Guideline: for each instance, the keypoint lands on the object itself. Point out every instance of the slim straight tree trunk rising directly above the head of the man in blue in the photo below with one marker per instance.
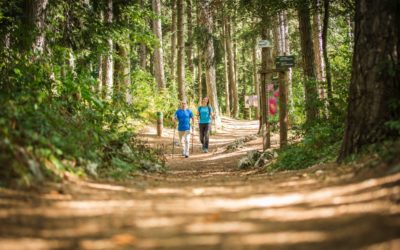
(181, 50)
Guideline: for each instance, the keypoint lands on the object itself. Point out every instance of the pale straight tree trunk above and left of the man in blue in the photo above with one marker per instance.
(158, 51)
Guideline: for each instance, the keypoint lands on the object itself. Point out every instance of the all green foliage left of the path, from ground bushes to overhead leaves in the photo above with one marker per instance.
(53, 119)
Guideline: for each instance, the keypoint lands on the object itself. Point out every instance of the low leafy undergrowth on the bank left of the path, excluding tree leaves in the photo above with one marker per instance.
(51, 129)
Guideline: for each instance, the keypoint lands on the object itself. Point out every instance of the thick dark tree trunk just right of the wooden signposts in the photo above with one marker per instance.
(310, 86)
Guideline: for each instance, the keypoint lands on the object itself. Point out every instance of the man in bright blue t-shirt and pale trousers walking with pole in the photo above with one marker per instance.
(183, 116)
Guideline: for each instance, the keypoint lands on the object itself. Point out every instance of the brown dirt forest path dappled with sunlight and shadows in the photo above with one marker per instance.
(206, 202)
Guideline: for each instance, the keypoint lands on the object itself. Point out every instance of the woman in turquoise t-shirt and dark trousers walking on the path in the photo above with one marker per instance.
(205, 114)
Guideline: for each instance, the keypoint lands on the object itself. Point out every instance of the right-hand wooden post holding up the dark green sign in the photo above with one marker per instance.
(283, 114)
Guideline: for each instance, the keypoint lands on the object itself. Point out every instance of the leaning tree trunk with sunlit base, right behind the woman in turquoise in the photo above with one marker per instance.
(209, 58)
